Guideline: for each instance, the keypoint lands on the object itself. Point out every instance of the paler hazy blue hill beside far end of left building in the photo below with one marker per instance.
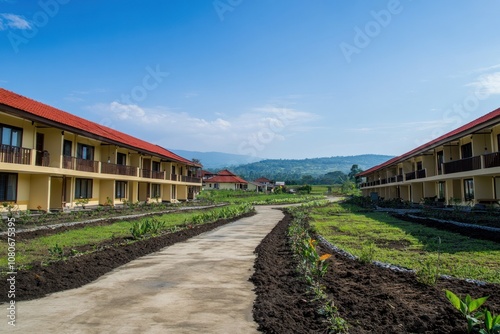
(216, 160)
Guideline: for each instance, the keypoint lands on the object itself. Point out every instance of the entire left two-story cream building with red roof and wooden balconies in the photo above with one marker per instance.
(51, 159)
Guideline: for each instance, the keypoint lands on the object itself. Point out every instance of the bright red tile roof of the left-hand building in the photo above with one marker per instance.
(66, 119)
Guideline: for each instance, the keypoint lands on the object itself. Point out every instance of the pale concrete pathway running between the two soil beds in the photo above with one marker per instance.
(198, 286)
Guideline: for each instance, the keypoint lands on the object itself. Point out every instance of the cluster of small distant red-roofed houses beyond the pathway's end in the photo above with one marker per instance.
(225, 179)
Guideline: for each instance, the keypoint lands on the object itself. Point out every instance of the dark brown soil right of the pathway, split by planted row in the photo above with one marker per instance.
(370, 298)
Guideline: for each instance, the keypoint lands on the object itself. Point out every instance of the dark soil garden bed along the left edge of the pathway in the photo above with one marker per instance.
(79, 270)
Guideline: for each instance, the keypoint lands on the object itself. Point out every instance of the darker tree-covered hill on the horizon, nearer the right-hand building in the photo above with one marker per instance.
(284, 169)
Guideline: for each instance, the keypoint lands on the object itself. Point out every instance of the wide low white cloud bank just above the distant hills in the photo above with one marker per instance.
(173, 129)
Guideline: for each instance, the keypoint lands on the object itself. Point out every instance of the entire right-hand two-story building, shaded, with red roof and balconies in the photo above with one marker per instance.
(461, 166)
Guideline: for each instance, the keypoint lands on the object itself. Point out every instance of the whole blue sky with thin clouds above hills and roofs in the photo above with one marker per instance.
(268, 78)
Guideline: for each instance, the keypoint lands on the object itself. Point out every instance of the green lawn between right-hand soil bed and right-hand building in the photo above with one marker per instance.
(407, 244)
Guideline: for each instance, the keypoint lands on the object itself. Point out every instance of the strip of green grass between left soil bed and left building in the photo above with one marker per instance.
(37, 249)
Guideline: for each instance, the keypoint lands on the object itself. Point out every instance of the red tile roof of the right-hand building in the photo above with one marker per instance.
(438, 141)
